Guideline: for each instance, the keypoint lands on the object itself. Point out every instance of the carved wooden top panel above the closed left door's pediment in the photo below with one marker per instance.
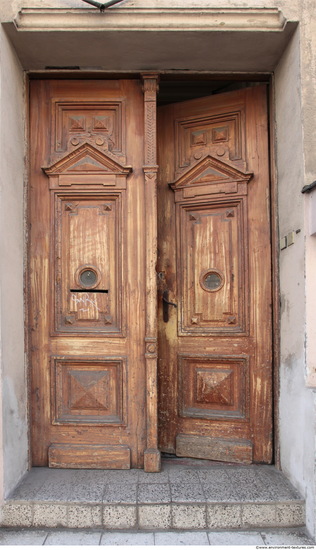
(99, 123)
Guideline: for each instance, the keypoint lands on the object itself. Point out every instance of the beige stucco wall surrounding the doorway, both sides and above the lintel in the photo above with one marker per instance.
(295, 147)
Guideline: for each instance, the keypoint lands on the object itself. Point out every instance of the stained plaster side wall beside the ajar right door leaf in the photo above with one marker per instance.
(297, 407)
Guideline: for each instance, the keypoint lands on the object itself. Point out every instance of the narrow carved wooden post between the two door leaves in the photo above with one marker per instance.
(152, 460)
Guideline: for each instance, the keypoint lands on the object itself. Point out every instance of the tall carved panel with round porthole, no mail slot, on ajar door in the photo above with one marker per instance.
(212, 270)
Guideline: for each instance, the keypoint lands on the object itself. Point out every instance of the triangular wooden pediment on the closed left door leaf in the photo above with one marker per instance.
(86, 159)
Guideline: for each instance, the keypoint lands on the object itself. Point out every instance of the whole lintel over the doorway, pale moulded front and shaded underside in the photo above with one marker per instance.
(131, 39)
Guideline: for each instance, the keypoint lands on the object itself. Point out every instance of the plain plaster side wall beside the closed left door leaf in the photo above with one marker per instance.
(13, 461)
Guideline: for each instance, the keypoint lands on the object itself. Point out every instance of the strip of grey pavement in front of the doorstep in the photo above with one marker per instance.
(66, 537)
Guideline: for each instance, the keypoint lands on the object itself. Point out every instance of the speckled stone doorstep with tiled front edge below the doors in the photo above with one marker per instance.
(185, 495)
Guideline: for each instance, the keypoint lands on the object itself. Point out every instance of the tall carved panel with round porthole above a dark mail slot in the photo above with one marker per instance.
(89, 263)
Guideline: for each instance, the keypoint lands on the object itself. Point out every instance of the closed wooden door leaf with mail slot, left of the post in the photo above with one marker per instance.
(87, 212)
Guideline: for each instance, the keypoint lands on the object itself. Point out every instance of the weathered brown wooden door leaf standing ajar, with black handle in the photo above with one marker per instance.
(215, 352)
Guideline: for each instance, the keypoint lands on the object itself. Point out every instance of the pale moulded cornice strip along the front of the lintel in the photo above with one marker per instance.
(140, 19)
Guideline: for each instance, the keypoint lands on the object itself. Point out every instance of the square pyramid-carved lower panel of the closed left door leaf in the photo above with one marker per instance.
(87, 390)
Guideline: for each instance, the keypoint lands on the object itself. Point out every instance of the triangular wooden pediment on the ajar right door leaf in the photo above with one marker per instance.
(209, 171)
